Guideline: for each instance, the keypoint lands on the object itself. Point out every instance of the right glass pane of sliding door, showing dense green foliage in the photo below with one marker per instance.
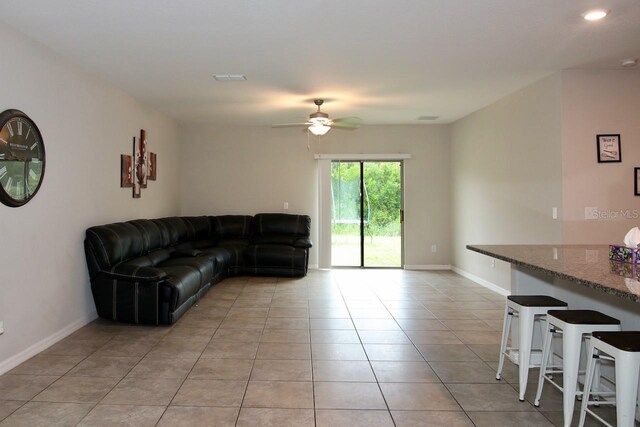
(382, 204)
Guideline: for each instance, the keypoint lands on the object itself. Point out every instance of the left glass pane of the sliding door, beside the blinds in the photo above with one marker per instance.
(345, 218)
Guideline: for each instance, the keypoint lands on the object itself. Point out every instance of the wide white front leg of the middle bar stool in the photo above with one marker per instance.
(571, 343)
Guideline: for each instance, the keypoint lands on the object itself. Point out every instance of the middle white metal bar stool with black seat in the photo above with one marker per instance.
(573, 325)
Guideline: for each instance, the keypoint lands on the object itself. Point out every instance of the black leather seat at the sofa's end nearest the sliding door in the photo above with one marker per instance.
(281, 257)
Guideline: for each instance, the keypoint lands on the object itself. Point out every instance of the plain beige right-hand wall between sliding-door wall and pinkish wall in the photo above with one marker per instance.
(506, 176)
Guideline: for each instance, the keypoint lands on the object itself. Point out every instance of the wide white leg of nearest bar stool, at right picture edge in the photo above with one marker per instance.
(627, 371)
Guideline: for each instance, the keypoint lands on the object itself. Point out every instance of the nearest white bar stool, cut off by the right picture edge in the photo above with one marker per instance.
(624, 349)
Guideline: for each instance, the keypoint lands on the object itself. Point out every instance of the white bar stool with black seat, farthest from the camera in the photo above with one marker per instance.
(526, 308)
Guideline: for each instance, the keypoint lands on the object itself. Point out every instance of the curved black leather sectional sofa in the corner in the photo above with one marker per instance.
(152, 271)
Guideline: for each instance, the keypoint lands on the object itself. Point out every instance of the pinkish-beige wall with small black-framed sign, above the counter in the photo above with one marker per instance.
(599, 102)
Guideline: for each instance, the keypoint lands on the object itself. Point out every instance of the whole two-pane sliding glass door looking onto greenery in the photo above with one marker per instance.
(366, 221)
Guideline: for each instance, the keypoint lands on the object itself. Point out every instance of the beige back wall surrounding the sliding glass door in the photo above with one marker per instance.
(250, 170)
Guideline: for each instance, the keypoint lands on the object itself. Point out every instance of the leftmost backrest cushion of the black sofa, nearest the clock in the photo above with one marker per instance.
(113, 243)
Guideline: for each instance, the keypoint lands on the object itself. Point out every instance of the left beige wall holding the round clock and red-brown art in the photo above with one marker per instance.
(86, 124)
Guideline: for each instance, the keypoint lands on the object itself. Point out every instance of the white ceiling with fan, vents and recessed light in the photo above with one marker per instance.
(385, 61)
